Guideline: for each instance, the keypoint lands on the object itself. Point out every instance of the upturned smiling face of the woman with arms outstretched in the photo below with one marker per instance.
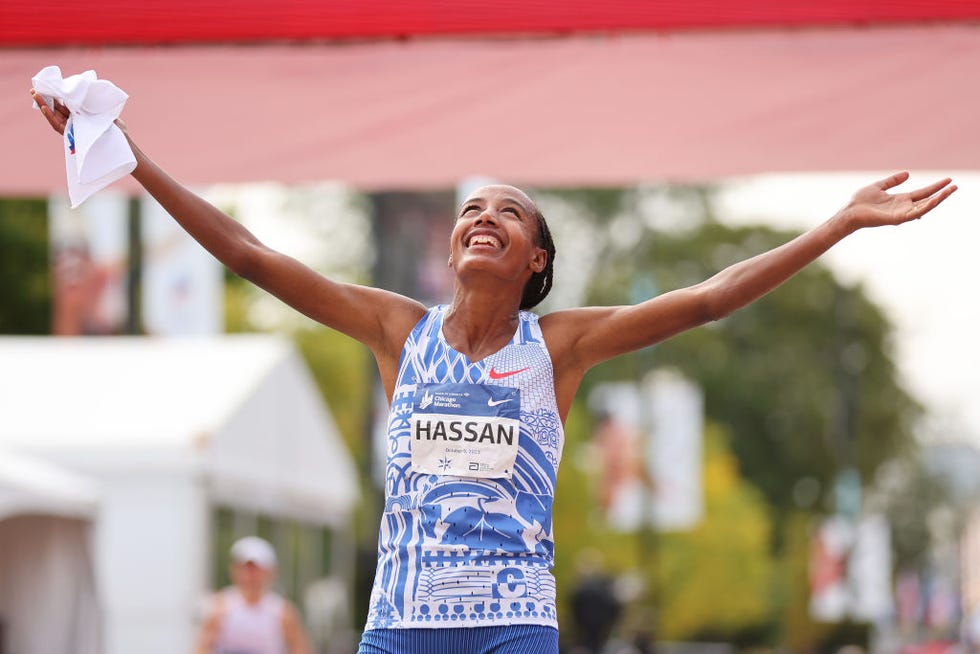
(496, 231)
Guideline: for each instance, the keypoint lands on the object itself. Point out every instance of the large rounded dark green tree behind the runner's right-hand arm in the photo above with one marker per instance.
(803, 377)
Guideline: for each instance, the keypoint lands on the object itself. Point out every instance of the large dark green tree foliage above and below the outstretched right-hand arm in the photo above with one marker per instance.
(803, 377)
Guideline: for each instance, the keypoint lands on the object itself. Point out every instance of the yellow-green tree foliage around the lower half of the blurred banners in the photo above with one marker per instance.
(713, 582)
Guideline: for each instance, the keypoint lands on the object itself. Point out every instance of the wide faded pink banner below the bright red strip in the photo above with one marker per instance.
(580, 110)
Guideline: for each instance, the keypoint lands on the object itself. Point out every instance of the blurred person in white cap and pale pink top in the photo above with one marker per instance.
(247, 617)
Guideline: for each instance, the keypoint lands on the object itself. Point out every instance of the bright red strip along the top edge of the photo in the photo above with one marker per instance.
(60, 22)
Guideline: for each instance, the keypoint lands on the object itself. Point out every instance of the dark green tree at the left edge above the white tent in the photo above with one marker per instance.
(25, 296)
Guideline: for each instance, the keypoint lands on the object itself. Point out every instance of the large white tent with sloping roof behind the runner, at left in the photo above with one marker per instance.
(171, 429)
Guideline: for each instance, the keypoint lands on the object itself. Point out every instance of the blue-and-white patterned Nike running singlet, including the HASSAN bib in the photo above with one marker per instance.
(466, 536)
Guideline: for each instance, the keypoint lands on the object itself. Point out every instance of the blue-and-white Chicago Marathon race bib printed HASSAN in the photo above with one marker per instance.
(465, 430)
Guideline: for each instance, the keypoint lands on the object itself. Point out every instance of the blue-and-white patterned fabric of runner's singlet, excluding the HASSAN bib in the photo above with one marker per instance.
(463, 551)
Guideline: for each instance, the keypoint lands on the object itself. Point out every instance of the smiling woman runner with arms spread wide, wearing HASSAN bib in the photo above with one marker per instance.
(479, 390)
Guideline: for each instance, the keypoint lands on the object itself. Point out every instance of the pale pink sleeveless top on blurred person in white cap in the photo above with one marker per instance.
(250, 628)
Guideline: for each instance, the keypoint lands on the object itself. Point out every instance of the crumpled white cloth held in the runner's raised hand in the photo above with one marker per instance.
(96, 150)
